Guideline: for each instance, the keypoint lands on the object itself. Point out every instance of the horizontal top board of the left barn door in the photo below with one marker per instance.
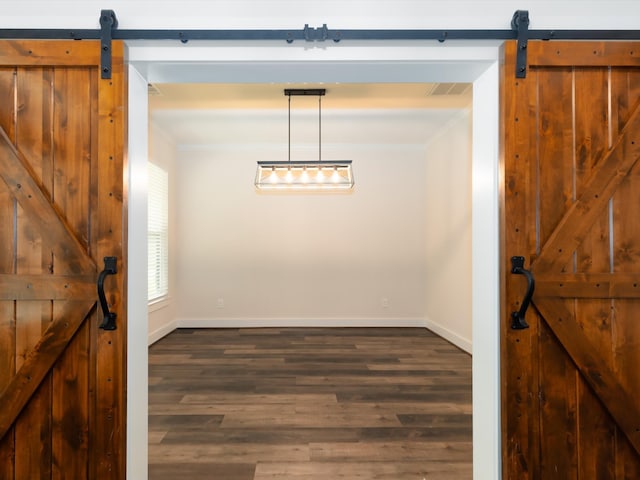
(50, 52)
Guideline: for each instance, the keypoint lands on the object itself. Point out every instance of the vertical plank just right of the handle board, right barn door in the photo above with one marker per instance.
(556, 191)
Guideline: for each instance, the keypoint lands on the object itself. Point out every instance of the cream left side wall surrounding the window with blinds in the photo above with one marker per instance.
(162, 152)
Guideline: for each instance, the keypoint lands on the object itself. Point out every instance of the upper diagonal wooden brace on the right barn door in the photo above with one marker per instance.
(605, 179)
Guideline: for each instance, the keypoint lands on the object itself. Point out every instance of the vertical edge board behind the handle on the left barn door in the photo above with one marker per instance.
(107, 443)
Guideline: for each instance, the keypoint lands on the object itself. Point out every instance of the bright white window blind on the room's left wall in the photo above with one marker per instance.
(158, 233)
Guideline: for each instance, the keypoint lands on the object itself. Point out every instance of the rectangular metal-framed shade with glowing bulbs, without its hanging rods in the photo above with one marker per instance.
(299, 175)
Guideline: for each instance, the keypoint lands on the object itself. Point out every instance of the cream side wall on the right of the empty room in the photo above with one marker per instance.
(448, 239)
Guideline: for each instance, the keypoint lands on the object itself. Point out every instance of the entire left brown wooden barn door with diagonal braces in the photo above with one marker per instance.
(61, 212)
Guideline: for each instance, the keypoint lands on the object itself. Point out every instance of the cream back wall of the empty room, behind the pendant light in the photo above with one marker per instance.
(248, 258)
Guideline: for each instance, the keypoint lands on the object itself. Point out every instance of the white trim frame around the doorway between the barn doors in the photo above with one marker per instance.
(420, 64)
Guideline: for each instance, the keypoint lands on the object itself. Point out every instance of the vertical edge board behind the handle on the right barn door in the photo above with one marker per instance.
(519, 380)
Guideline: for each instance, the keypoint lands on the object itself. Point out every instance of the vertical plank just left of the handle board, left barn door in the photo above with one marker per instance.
(72, 128)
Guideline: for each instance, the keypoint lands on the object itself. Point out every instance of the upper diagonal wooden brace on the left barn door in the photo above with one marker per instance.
(21, 180)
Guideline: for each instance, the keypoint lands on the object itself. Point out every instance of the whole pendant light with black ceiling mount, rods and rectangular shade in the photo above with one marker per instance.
(305, 175)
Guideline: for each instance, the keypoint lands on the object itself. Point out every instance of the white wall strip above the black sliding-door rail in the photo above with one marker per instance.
(223, 14)
